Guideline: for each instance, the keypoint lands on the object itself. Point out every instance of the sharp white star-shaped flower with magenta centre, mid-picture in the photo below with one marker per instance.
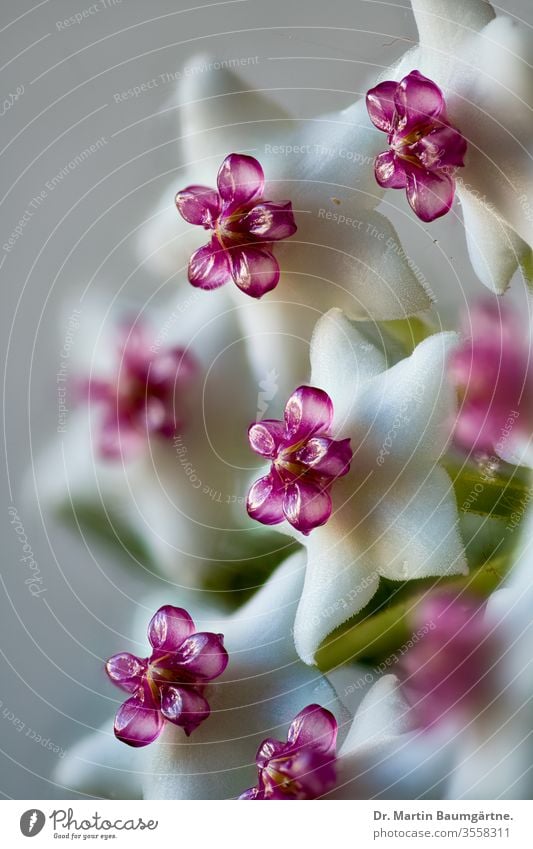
(393, 513)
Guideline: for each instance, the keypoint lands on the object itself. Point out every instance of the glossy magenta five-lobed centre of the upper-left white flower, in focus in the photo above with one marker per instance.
(244, 225)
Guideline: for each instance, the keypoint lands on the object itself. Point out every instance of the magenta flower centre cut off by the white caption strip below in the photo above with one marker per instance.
(303, 767)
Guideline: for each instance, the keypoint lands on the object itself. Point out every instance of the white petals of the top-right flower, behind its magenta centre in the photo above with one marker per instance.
(483, 65)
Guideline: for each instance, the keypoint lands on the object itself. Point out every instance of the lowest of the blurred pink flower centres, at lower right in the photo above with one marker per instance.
(446, 675)
